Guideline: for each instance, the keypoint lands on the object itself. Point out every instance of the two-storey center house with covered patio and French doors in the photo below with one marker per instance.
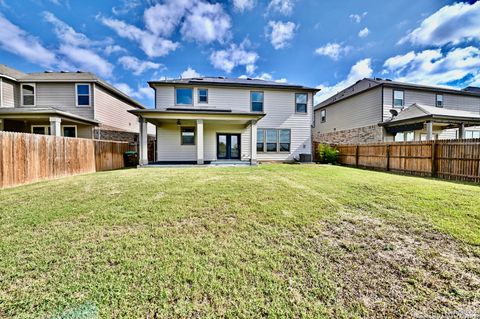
(208, 119)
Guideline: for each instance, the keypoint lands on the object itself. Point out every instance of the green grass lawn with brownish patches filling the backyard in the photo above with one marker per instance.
(241, 242)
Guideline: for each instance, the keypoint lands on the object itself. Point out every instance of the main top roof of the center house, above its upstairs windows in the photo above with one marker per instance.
(241, 82)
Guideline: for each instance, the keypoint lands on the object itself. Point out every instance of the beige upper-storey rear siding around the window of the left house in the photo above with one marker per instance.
(61, 96)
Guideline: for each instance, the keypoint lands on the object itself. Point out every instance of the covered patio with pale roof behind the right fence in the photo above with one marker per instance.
(422, 122)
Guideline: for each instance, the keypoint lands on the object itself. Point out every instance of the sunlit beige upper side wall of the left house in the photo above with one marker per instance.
(113, 112)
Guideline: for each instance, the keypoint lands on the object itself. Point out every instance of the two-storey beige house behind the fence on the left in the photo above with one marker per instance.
(74, 104)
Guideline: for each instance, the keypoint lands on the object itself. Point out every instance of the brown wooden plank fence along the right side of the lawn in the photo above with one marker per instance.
(448, 159)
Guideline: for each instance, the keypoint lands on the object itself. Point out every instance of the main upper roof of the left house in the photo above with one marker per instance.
(78, 76)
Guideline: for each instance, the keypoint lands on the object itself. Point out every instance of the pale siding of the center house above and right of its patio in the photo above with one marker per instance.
(279, 106)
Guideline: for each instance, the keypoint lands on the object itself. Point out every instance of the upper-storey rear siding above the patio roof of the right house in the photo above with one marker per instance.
(450, 101)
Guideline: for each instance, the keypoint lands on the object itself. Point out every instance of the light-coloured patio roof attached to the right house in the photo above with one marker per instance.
(422, 112)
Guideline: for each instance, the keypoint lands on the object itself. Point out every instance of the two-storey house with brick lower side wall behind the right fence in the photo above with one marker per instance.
(375, 110)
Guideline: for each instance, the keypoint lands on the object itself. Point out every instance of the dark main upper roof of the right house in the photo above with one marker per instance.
(368, 83)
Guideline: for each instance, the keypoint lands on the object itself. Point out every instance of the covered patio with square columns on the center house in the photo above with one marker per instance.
(191, 136)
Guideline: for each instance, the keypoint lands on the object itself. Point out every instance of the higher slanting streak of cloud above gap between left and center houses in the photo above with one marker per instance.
(151, 44)
